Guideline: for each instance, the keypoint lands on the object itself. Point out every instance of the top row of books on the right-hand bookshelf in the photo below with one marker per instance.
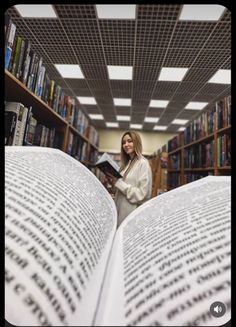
(217, 117)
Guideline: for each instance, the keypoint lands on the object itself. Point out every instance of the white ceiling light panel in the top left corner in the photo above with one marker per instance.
(36, 11)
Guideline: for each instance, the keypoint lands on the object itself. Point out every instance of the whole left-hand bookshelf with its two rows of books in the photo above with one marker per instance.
(38, 109)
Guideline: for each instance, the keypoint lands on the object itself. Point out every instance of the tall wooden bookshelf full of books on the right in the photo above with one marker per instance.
(204, 148)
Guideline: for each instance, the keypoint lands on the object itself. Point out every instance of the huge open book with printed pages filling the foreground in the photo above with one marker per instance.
(67, 265)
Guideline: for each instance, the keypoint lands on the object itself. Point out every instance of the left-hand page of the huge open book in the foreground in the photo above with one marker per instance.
(60, 224)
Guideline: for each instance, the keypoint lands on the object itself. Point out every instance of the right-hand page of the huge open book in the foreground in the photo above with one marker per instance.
(171, 260)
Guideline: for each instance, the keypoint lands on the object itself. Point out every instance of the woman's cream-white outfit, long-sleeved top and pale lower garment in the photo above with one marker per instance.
(135, 190)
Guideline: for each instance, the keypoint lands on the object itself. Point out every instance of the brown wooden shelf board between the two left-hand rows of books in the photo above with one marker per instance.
(16, 91)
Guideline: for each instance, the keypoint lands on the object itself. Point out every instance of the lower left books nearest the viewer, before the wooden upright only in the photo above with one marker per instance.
(21, 128)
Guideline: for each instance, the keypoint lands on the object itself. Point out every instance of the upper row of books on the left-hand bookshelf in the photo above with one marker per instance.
(28, 67)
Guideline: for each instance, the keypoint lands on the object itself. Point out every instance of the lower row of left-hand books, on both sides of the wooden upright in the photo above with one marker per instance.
(21, 128)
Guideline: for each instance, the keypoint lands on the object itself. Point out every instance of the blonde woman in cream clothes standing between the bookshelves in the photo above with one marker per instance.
(134, 188)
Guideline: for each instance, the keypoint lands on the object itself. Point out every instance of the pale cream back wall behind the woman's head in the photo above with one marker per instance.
(110, 140)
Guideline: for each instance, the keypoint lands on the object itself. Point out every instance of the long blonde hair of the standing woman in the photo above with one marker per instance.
(137, 148)
